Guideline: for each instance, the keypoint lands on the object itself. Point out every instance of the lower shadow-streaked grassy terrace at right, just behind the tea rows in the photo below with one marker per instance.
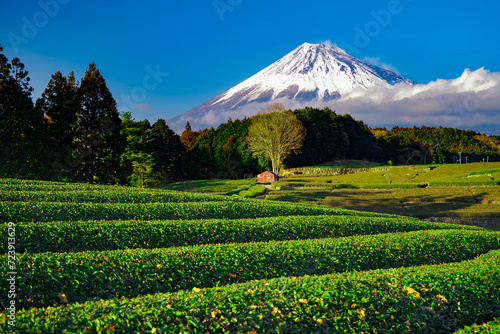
(427, 202)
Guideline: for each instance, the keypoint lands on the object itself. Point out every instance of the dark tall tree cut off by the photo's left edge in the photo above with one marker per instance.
(22, 137)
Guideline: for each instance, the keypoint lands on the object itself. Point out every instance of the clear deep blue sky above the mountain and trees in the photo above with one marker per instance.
(209, 46)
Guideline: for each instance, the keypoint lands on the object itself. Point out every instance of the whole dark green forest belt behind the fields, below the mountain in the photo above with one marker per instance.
(74, 132)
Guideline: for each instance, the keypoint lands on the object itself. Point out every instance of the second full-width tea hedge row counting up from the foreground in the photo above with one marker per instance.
(110, 274)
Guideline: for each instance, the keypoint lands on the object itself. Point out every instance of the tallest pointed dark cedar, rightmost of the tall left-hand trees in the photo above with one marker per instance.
(100, 143)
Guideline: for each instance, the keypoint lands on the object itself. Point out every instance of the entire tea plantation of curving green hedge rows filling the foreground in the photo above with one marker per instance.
(104, 259)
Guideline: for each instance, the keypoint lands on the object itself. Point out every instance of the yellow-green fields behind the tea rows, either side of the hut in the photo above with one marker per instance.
(466, 190)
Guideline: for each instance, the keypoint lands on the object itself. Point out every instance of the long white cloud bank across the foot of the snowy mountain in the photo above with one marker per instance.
(471, 101)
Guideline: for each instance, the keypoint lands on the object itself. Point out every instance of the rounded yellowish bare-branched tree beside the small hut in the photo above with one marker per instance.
(275, 134)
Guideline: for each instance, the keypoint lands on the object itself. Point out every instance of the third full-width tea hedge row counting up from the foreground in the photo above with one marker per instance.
(77, 236)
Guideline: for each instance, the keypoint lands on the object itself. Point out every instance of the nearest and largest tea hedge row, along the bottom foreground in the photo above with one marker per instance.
(428, 299)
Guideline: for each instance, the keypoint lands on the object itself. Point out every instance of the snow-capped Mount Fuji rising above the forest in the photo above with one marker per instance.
(311, 74)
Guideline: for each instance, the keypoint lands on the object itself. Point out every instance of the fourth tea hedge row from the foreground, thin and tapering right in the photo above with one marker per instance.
(54, 211)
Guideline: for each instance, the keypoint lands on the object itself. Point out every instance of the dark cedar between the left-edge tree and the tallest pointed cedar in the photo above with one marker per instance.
(60, 106)
